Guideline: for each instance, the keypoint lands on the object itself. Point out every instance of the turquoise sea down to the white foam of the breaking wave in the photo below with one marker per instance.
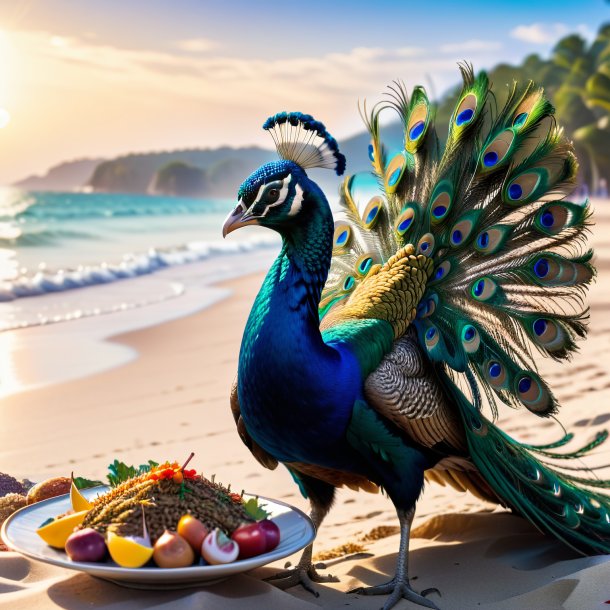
(62, 240)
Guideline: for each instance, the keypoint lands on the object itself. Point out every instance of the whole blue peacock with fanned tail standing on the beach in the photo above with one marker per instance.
(383, 341)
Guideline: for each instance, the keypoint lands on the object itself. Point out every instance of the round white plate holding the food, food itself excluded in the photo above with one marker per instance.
(19, 534)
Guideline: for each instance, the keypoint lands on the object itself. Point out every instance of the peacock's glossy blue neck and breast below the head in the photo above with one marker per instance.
(288, 378)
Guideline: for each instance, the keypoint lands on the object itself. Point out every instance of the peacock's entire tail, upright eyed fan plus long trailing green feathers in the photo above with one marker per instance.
(510, 269)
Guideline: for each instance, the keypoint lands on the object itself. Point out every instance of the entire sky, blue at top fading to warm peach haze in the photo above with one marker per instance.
(91, 78)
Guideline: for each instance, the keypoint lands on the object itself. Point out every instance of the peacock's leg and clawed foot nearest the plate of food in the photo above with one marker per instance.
(304, 573)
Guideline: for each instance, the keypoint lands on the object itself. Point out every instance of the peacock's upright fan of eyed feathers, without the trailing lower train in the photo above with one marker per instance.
(510, 267)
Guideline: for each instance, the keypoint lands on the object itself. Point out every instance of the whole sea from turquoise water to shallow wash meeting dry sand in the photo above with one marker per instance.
(77, 268)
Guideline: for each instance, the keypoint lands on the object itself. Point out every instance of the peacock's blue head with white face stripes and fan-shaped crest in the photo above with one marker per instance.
(276, 194)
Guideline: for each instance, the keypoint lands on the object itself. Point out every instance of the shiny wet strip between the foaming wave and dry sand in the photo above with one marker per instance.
(139, 303)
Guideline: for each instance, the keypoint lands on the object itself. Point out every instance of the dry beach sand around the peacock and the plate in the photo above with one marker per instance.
(173, 399)
